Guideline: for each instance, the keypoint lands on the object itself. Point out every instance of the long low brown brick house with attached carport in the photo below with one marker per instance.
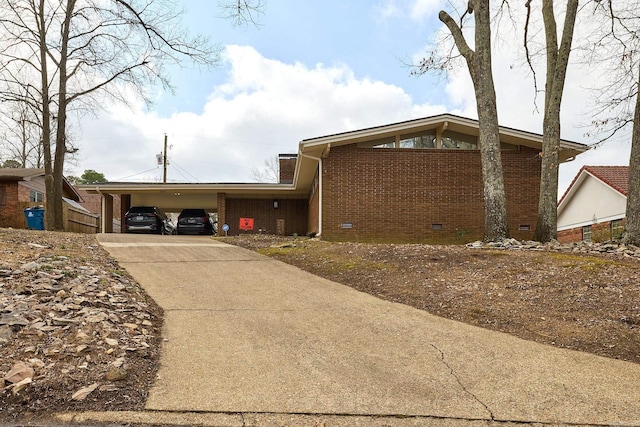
(418, 180)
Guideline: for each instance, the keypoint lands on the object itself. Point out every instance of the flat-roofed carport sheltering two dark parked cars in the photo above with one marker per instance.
(274, 208)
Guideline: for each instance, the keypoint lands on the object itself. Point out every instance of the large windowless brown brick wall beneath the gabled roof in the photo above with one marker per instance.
(398, 195)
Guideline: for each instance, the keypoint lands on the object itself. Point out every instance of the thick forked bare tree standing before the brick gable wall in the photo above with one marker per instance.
(479, 65)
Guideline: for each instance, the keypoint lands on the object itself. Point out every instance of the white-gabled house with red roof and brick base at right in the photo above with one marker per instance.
(593, 207)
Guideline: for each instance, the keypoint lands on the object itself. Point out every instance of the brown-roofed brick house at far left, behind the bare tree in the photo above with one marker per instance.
(22, 188)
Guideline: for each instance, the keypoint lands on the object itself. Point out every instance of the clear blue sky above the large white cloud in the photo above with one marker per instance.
(375, 42)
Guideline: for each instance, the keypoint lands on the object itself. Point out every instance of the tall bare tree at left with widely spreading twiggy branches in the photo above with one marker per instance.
(82, 53)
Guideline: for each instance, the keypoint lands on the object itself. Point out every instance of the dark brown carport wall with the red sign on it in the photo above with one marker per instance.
(265, 217)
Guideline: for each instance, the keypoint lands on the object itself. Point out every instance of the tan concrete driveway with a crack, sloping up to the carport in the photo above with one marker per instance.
(246, 334)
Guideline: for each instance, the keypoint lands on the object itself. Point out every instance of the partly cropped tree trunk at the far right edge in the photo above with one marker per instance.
(632, 235)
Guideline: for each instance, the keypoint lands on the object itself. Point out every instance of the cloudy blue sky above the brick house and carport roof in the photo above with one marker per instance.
(310, 69)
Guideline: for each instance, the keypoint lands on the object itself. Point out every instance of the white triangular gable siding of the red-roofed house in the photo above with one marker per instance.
(593, 202)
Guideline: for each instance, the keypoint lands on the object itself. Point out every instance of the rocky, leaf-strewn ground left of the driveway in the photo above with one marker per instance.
(75, 329)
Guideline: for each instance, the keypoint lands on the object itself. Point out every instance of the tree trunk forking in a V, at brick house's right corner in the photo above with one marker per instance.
(557, 63)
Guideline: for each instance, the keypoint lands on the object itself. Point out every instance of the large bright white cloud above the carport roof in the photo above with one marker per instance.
(265, 107)
